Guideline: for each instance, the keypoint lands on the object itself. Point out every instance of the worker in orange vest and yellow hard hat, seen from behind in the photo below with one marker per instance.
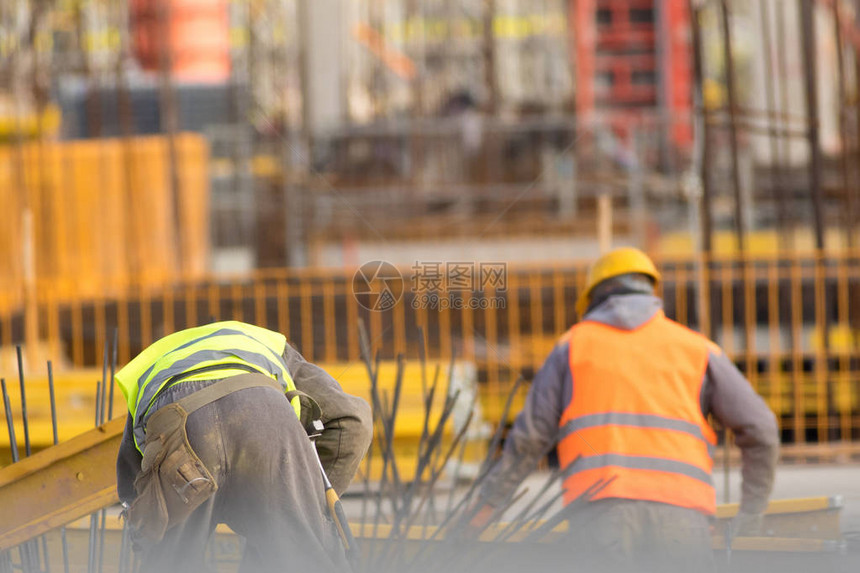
(626, 394)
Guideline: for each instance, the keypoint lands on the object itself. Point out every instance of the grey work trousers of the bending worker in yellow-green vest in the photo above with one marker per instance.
(270, 489)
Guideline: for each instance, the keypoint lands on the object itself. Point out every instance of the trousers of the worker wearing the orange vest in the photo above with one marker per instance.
(621, 536)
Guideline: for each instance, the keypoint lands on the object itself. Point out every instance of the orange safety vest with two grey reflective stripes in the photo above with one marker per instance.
(635, 414)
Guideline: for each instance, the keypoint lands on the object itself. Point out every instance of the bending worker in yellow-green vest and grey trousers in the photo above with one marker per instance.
(217, 432)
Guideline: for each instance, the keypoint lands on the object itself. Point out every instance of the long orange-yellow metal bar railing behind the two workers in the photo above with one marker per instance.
(791, 324)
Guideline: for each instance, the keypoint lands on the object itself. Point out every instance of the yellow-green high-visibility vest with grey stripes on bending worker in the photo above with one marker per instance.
(216, 350)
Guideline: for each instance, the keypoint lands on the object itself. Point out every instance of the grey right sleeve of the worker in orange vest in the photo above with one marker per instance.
(734, 403)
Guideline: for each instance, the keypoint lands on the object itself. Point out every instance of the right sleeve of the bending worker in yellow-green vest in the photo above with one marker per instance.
(347, 419)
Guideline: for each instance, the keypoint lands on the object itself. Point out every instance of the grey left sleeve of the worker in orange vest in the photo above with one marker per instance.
(534, 431)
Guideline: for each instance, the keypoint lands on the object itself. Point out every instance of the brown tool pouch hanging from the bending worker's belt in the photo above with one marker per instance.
(173, 481)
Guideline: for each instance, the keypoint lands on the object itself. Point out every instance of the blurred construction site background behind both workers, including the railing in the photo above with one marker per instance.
(166, 162)
